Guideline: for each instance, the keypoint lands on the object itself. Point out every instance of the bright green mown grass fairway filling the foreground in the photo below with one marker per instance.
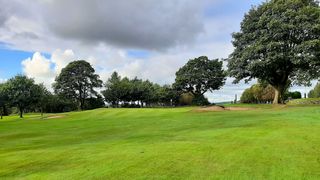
(265, 143)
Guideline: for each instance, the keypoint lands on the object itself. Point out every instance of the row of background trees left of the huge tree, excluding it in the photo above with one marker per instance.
(76, 88)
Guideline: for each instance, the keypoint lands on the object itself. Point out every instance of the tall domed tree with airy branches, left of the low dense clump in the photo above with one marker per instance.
(77, 81)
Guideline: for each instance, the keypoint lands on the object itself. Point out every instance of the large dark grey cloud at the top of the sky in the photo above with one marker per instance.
(144, 24)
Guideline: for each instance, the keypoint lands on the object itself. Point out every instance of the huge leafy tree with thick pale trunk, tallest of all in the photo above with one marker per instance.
(279, 42)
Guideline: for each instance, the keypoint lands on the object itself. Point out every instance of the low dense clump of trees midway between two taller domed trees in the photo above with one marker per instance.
(128, 92)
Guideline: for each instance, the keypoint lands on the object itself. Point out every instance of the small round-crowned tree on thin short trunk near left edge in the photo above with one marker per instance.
(22, 92)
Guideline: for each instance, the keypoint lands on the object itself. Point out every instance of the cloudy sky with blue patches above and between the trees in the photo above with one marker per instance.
(149, 39)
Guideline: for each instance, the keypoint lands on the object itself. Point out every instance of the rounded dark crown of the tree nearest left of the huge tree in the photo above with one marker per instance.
(200, 75)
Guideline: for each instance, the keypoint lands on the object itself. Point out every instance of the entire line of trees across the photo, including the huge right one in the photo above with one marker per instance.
(278, 43)
